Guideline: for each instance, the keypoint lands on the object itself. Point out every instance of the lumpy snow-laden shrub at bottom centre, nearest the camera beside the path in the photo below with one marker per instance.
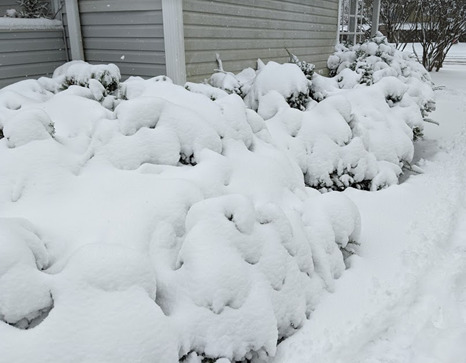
(267, 281)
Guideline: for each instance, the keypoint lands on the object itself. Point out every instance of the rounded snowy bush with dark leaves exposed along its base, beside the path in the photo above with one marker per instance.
(336, 148)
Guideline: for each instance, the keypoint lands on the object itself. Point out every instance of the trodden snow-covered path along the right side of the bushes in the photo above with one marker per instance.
(404, 298)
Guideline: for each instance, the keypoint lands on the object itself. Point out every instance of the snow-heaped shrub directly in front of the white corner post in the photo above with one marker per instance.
(159, 118)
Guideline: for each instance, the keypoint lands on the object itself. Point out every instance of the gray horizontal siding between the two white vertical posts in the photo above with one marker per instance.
(126, 33)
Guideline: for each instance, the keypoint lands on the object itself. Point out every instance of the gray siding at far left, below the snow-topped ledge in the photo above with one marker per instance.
(30, 54)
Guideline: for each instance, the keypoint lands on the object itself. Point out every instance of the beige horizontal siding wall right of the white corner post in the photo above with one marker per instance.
(243, 30)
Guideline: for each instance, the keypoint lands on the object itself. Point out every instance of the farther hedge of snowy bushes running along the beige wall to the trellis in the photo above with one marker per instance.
(353, 129)
